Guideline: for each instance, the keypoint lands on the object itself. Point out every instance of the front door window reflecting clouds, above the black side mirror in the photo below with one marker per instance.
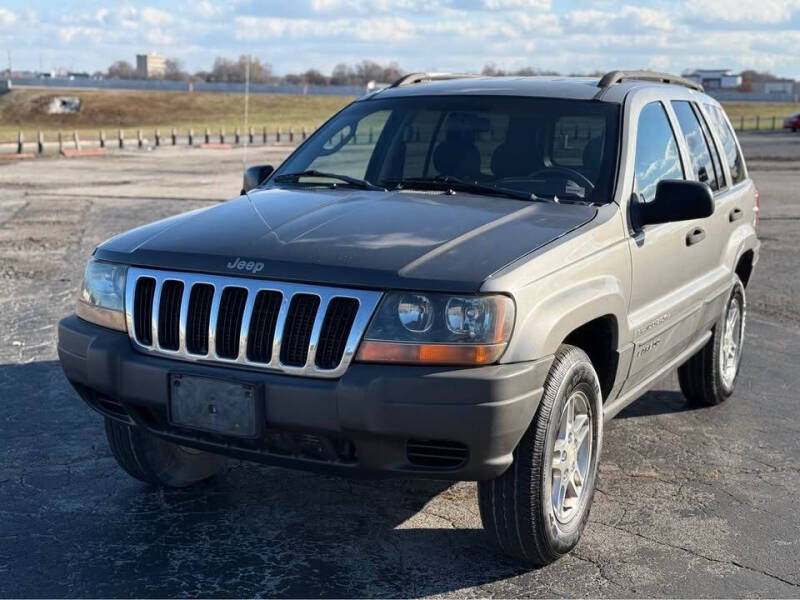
(657, 154)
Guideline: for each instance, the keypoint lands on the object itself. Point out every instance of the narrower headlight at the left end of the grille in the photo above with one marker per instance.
(102, 296)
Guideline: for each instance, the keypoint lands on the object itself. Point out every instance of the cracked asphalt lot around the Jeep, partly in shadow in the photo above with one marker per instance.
(690, 502)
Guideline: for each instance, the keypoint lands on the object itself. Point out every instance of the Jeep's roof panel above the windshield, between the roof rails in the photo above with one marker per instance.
(570, 88)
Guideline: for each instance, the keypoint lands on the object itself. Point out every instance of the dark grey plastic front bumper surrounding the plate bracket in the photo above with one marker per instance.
(433, 422)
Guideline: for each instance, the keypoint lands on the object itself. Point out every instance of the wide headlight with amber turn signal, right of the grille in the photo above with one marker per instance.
(438, 329)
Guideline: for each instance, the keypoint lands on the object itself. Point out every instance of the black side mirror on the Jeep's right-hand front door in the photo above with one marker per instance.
(676, 200)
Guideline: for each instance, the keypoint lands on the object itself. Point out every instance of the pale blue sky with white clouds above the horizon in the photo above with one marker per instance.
(421, 35)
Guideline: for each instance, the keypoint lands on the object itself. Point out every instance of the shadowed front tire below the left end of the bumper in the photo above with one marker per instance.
(158, 462)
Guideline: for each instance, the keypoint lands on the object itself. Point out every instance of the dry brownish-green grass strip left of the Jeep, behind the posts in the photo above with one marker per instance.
(26, 110)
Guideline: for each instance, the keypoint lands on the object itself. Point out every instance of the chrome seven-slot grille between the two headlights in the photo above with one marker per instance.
(291, 328)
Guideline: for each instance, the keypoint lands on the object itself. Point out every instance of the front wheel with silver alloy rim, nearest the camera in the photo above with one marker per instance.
(517, 508)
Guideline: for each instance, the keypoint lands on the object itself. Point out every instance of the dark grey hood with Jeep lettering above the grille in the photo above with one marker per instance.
(372, 239)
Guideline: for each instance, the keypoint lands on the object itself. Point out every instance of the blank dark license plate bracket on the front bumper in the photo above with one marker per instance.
(213, 405)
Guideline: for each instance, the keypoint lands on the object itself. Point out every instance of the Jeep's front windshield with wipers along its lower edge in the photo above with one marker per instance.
(552, 148)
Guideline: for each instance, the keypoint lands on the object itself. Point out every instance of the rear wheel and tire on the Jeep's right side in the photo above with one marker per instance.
(704, 378)
